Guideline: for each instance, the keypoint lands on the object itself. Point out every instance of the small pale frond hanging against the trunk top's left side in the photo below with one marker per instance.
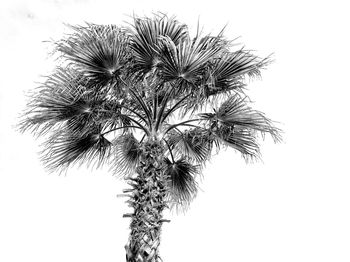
(126, 152)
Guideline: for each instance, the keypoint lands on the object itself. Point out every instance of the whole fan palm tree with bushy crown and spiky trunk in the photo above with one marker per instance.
(152, 102)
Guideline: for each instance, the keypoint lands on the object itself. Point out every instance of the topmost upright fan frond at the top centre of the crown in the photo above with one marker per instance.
(145, 39)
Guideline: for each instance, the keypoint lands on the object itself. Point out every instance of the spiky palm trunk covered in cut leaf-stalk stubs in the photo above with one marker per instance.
(148, 201)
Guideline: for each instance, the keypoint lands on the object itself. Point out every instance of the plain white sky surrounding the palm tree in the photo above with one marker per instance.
(293, 207)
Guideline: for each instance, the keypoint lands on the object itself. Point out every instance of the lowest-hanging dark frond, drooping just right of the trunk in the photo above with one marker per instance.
(181, 181)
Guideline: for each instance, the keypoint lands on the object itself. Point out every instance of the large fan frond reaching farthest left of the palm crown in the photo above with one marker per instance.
(64, 96)
